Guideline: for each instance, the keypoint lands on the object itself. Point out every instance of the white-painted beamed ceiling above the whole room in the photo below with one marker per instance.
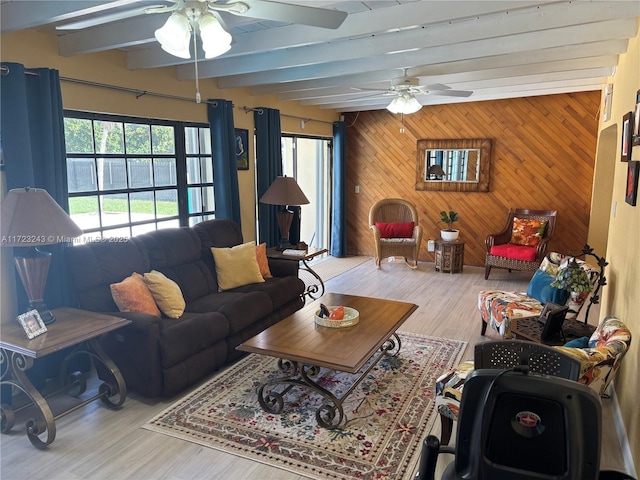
(497, 49)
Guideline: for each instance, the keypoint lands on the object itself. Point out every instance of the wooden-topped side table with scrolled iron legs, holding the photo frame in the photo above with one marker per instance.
(73, 328)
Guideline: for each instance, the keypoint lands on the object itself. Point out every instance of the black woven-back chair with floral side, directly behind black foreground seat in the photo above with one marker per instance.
(539, 359)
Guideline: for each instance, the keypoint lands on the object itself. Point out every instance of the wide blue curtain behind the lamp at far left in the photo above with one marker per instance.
(32, 136)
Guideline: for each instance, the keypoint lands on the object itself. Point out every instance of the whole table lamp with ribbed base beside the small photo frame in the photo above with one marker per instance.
(30, 219)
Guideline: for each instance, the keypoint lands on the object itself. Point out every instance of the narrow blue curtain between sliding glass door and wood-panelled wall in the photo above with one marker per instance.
(339, 204)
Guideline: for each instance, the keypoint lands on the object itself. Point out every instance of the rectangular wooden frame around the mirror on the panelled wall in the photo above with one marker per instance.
(482, 185)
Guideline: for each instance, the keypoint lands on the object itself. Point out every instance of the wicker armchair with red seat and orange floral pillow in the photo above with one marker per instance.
(522, 243)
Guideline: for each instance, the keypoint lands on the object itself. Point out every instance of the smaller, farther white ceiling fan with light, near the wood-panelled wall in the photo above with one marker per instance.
(405, 89)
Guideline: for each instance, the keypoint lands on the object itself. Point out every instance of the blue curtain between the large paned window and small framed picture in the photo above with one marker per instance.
(225, 171)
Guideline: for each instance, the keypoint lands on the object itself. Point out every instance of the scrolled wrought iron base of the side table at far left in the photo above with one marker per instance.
(13, 372)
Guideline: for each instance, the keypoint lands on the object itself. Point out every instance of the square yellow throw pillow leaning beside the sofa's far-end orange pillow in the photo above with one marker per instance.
(236, 266)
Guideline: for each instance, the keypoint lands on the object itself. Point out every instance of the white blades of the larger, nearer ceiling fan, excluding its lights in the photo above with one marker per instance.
(259, 9)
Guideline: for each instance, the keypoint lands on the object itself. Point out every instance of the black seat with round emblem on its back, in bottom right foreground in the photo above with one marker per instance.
(516, 426)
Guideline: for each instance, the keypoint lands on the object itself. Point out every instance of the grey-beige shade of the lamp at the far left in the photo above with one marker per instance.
(30, 218)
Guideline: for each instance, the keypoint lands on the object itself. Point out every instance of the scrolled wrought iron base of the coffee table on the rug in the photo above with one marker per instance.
(331, 413)
